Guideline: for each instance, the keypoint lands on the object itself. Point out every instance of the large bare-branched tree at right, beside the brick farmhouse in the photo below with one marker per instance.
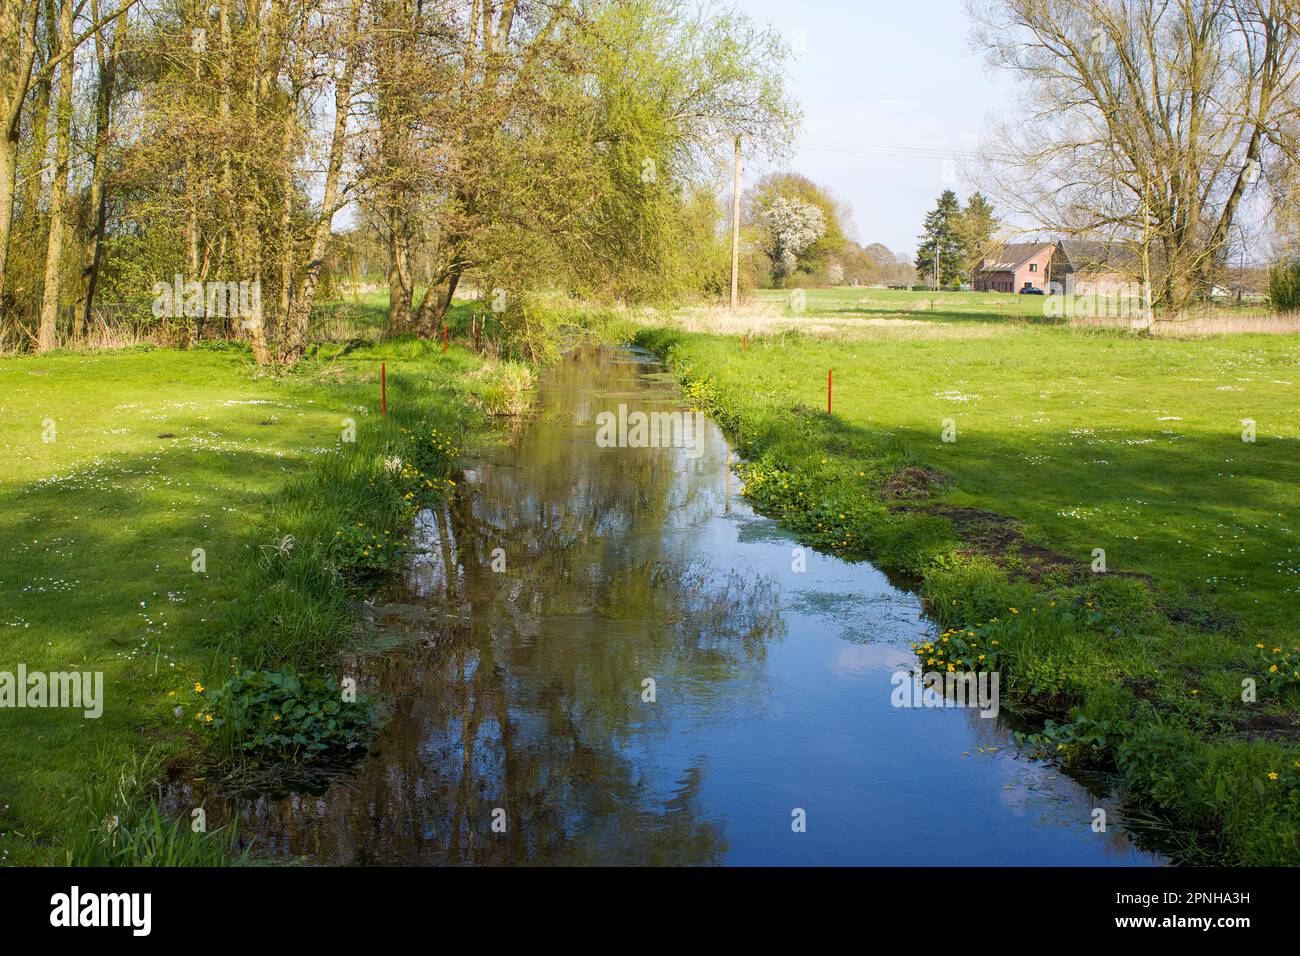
(1147, 122)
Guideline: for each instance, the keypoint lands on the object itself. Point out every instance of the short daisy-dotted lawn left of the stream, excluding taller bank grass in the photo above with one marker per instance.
(120, 466)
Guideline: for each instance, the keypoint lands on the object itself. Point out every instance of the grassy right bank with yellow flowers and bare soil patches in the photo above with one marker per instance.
(1061, 445)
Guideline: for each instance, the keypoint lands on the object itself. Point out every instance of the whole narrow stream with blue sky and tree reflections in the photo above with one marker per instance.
(518, 697)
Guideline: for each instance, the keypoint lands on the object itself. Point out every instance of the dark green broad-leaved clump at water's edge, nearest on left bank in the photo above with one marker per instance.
(285, 716)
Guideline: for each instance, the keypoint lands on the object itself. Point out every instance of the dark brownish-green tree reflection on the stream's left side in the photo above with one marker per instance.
(523, 690)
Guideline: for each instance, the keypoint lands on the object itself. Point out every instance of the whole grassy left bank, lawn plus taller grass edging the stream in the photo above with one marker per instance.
(166, 512)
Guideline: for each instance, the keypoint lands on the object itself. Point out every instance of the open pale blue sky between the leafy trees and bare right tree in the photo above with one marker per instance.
(892, 96)
